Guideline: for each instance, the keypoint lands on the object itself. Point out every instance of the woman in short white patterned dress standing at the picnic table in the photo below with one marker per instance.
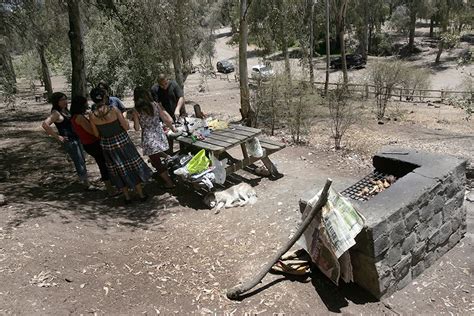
(146, 115)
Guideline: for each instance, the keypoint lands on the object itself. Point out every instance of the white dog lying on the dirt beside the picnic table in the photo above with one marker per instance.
(238, 195)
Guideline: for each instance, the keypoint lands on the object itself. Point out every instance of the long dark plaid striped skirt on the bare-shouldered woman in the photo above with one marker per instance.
(125, 165)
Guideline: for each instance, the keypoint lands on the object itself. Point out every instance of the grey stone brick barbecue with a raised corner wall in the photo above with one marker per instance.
(410, 224)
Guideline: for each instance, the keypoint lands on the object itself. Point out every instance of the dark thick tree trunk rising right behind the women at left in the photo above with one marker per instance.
(79, 87)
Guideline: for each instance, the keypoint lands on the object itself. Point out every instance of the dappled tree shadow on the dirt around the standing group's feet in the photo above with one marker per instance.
(43, 182)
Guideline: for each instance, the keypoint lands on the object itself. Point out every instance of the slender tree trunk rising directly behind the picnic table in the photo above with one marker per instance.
(248, 115)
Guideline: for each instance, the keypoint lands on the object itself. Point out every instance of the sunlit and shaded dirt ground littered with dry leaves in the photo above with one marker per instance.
(64, 250)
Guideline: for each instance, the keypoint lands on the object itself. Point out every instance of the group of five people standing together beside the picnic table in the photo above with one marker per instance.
(102, 133)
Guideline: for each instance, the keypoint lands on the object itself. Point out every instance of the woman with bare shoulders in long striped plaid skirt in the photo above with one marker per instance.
(125, 166)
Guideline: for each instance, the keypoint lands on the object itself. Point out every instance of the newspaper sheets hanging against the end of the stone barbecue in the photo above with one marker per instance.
(330, 235)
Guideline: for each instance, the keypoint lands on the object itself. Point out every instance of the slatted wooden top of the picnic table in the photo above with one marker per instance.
(223, 139)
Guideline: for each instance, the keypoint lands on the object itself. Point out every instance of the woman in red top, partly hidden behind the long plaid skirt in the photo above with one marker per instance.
(90, 143)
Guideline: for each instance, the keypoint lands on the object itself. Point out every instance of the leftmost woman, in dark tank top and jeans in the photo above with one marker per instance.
(61, 117)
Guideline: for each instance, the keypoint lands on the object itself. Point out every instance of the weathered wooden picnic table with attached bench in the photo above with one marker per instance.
(219, 142)
